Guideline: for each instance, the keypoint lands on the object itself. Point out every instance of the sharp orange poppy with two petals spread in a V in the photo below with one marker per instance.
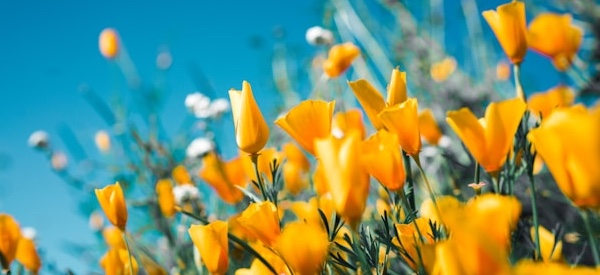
(372, 101)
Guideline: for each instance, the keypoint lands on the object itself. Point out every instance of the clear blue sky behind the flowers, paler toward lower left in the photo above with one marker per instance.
(49, 48)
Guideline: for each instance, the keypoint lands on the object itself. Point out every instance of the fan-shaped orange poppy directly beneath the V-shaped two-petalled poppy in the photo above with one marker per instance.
(403, 120)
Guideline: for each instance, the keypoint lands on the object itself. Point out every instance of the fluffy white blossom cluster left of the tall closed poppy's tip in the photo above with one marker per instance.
(202, 107)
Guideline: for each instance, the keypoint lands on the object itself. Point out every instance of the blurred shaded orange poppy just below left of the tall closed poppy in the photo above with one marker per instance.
(224, 177)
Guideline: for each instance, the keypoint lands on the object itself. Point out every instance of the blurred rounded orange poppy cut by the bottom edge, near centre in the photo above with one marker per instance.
(304, 255)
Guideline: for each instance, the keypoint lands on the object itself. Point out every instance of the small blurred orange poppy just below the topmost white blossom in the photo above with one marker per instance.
(340, 58)
